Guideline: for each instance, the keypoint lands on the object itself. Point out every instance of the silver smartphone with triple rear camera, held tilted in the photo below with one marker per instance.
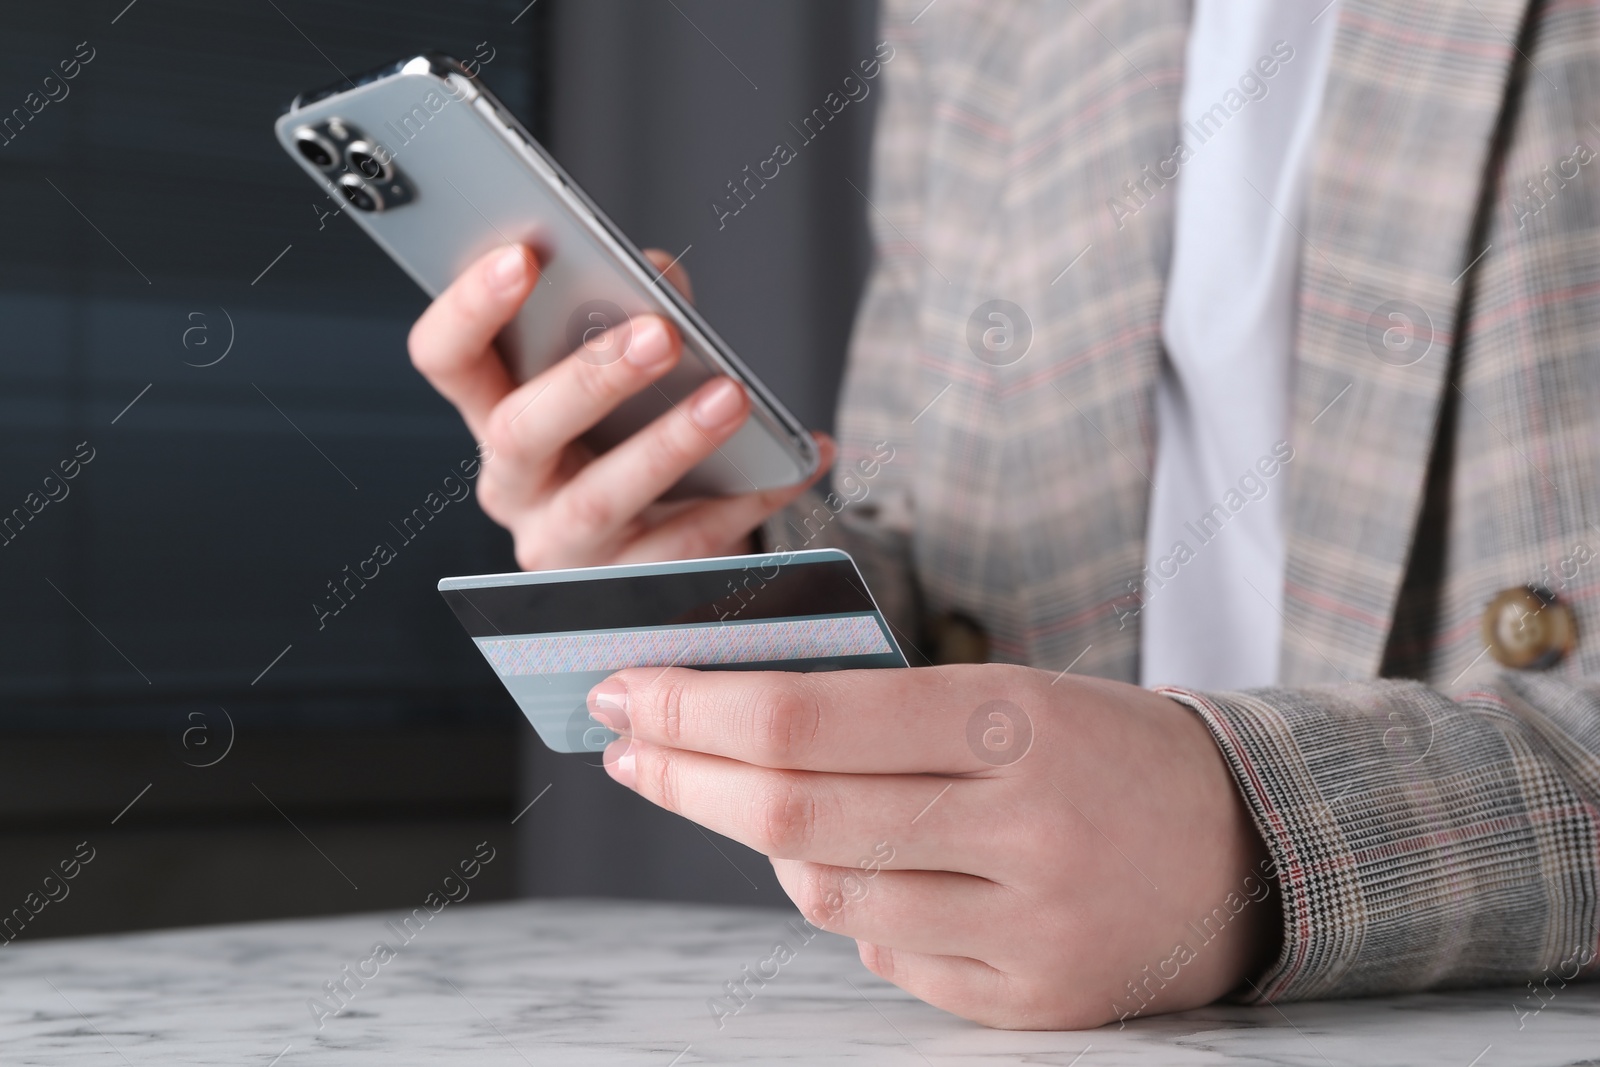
(439, 174)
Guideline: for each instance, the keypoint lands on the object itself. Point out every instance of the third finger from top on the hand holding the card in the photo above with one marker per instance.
(919, 911)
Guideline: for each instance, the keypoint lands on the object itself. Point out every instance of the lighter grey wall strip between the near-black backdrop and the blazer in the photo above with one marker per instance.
(654, 121)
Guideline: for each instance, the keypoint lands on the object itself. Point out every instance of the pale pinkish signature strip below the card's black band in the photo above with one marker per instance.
(687, 647)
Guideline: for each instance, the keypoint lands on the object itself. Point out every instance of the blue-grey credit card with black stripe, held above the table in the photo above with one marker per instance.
(551, 636)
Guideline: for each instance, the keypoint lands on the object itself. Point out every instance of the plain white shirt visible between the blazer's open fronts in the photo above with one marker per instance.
(1215, 548)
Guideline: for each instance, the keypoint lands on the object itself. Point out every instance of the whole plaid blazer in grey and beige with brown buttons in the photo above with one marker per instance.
(1436, 820)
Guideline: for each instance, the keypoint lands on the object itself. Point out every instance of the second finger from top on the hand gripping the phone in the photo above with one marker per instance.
(532, 426)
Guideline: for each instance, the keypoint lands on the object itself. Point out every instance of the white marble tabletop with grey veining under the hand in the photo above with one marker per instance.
(601, 983)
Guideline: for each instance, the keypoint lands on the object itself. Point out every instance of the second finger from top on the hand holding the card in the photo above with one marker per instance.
(898, 821)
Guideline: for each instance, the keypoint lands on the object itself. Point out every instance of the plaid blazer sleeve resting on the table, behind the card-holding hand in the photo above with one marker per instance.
(1422, 842)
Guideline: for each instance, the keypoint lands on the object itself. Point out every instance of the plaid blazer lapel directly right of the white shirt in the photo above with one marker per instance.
(1415, 95)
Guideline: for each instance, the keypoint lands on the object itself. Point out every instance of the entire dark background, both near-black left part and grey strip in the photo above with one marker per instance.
(166, 690)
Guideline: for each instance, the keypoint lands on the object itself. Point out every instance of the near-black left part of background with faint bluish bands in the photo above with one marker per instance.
(151, 601)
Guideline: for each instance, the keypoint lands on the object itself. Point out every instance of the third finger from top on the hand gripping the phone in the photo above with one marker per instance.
(623, 482)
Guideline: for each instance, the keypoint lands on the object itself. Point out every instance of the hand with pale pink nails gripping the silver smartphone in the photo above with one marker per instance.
(564, 505)
